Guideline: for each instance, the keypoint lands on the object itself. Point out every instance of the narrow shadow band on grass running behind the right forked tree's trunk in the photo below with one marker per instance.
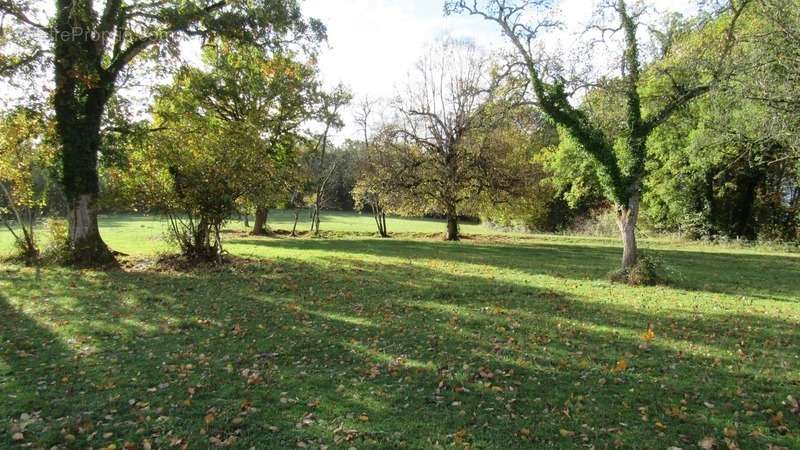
(757, 276)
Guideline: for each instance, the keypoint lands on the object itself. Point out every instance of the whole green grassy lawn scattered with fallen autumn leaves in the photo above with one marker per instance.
(349, 341)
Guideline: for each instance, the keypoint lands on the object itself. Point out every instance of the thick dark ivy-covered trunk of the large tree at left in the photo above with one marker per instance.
(82, 90)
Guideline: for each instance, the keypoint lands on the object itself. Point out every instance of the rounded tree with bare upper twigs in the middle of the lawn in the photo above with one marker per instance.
(442, 112)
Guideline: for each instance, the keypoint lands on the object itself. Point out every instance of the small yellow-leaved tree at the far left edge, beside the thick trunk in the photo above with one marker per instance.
(26, 157)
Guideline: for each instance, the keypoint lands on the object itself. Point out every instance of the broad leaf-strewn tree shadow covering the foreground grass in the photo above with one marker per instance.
(381, 355)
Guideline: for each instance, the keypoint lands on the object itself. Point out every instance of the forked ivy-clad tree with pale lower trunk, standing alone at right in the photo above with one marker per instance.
(621, 157)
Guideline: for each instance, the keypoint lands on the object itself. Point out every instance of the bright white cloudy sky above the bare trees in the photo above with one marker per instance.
(373, 44)
